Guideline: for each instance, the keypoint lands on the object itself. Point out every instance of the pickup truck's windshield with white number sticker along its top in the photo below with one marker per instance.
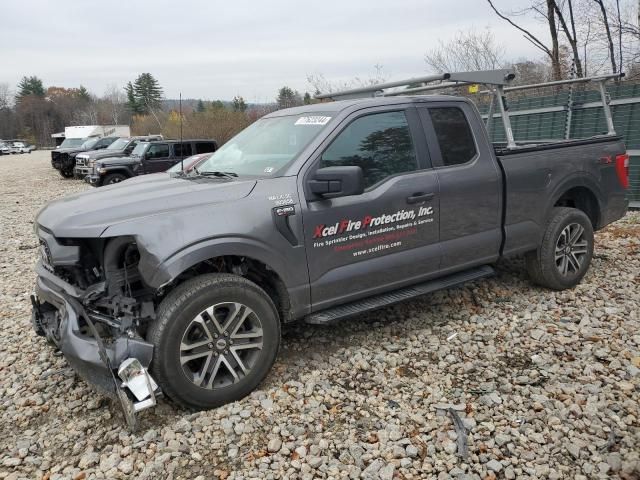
(267, 146)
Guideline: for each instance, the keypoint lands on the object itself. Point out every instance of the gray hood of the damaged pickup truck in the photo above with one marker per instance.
(88, 214)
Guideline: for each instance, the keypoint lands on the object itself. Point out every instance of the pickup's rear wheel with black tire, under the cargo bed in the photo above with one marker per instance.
(557, 263)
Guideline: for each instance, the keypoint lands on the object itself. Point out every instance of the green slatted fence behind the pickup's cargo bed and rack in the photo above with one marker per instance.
(540, 114)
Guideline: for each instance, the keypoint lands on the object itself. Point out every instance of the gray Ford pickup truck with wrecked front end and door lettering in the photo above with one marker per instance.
(311, 214)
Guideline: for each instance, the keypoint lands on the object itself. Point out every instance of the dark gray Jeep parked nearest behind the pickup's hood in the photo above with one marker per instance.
(146, 157)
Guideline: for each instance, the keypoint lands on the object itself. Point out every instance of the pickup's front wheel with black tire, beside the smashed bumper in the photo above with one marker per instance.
(175, 322)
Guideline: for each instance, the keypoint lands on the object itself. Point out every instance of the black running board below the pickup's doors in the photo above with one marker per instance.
(378, 301)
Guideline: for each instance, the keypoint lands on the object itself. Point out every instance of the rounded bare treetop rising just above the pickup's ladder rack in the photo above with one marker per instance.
(466, 51)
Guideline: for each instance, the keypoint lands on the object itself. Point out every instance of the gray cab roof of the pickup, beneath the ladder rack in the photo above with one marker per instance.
(340, 105)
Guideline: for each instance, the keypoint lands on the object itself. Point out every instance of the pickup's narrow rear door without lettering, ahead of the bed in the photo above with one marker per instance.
(470, 185)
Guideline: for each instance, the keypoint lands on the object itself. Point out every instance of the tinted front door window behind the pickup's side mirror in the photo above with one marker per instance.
(380, 144)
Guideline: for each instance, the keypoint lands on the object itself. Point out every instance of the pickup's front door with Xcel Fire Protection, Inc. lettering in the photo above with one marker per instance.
(387, 236)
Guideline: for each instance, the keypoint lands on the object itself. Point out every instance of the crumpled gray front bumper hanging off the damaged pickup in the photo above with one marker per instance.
(59, 315)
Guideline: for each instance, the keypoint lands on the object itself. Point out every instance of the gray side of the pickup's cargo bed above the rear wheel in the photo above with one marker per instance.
(577, 165)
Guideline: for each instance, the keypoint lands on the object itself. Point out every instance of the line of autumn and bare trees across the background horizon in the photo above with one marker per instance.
(583, 38)
